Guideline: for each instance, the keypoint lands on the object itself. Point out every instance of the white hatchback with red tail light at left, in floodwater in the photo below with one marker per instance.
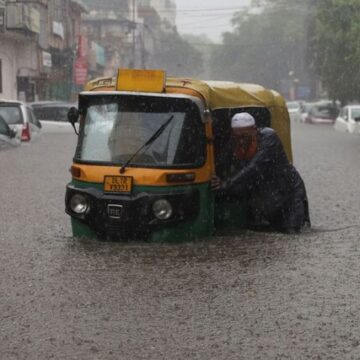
(20, 117)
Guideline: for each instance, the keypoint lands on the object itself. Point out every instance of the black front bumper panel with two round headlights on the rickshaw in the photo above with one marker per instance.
(131, 216)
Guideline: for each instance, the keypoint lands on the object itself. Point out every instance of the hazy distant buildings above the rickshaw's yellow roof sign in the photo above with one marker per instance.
(127, 30)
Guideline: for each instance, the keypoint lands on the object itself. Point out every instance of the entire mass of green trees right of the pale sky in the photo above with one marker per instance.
(314, 39)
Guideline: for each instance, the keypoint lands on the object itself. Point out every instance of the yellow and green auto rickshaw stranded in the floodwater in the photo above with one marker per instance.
(147, 148)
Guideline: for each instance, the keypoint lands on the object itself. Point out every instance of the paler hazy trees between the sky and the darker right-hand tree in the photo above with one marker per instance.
(265, 46)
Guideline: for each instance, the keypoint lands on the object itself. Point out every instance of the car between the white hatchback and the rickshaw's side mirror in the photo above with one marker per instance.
(53, 115)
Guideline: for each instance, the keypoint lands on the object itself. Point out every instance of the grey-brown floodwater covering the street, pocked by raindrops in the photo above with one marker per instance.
(240, 296)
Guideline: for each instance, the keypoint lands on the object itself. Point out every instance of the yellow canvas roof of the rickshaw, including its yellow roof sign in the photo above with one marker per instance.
(215, 95)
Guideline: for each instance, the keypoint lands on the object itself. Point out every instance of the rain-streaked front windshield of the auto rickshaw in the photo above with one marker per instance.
(115, 127)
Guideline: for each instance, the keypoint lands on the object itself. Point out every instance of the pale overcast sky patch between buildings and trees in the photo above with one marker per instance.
(211, 17)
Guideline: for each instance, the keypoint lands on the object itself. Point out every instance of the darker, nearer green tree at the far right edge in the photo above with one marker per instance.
(337, 48)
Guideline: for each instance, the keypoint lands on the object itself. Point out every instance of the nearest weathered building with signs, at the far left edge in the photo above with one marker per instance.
(38, 40)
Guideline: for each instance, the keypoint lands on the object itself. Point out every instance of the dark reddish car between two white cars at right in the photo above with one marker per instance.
(321, 113)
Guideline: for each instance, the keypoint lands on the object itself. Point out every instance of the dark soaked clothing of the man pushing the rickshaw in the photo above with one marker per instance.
(272, 185)
